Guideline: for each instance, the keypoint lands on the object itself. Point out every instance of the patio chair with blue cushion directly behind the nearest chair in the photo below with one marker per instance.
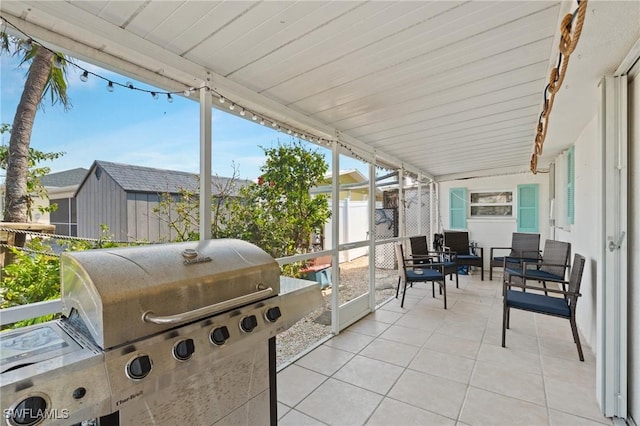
(550, 268)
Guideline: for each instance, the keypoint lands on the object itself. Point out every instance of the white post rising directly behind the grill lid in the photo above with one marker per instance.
(205, 164)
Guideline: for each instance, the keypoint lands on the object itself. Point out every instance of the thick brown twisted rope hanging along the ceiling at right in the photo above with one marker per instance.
(570, 34)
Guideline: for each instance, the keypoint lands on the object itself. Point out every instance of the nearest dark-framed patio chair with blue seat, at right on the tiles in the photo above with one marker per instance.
(563, 307)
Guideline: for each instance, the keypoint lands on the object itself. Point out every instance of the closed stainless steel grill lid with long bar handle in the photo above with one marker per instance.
(125, 294)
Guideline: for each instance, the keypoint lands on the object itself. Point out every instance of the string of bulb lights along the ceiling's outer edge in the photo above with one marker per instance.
(187, 92)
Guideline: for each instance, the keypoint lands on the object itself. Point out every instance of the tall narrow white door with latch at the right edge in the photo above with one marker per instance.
(613, 295)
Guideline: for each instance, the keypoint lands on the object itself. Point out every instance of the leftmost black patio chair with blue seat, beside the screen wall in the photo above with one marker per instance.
(410, 273)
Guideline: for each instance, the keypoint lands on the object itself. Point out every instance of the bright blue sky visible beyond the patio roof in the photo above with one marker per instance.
(130, 127)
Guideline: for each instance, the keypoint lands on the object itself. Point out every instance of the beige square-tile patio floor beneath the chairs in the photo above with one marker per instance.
(423, 365)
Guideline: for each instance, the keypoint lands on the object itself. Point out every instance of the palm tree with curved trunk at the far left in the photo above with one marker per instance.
(46, 75)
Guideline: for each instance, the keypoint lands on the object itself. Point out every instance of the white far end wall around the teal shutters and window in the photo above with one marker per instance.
(496, 232)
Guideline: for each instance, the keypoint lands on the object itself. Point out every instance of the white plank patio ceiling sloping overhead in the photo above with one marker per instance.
(448, 88)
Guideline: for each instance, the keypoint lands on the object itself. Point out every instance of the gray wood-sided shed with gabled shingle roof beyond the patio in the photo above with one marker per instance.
(123, 198)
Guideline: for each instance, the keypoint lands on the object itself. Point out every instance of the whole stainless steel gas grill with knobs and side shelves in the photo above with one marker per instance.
(178, 333)
